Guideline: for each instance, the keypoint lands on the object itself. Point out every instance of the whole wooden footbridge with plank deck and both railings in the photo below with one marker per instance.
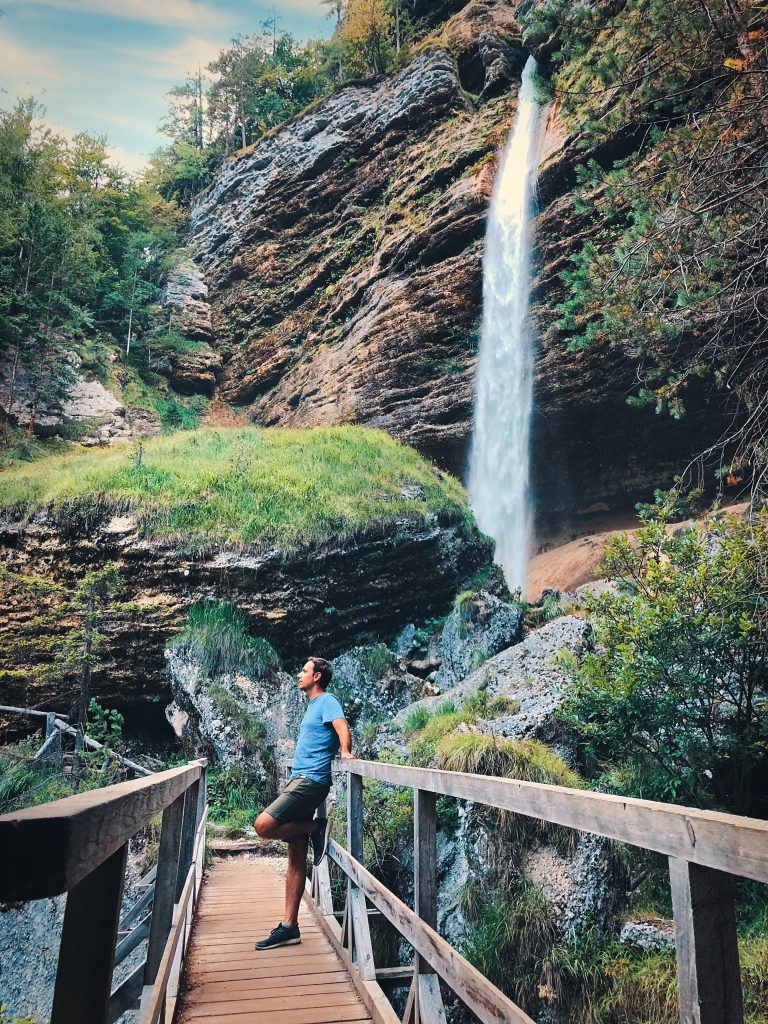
(200, 948)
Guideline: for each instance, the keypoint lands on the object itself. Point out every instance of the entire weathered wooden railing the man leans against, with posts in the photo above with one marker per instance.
(706, 850)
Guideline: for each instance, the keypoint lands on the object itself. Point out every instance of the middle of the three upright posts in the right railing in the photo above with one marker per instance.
(426, 987)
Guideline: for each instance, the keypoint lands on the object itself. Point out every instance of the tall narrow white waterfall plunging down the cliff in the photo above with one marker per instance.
(499, 466)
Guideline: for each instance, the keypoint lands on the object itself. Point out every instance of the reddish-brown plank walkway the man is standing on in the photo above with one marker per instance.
(227, 980)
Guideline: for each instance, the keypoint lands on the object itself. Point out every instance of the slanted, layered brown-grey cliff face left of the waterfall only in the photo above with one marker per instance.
(344, 252)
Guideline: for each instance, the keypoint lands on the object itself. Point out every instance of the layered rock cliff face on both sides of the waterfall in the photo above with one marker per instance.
(344, 255)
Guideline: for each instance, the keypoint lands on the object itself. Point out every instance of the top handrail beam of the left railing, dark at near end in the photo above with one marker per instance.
(49, 849)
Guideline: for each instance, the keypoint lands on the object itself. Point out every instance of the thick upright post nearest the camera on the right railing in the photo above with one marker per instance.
(709, 979)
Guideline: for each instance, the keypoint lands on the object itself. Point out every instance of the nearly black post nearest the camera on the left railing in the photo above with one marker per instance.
(87, 956)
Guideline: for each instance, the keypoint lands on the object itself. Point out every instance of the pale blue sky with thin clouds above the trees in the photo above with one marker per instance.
(106, 66)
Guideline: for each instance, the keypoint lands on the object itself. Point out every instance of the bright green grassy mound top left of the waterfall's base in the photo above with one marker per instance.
(246, 487)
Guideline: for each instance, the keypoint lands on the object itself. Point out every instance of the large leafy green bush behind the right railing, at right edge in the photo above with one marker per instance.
(674, 695)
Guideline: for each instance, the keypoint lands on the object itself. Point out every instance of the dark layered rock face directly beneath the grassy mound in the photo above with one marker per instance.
(319, 601)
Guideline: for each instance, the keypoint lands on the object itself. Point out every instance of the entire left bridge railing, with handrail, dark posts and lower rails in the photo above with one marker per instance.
(79, 846)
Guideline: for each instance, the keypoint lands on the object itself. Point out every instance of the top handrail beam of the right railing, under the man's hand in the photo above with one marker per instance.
(711, 839)
